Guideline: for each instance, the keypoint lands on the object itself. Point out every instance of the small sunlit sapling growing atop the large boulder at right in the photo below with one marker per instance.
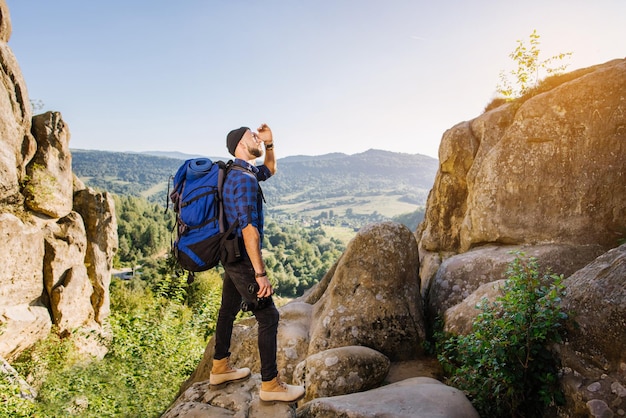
(529, 68)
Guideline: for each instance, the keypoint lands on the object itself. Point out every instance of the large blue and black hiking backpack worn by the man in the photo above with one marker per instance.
(200, 220)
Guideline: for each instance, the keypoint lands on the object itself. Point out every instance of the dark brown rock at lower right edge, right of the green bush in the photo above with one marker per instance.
(593, 358)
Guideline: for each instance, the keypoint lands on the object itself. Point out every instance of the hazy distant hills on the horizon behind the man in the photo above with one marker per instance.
(373, 185)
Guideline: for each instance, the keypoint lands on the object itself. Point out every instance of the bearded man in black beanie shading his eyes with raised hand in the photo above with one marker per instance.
(243, 202)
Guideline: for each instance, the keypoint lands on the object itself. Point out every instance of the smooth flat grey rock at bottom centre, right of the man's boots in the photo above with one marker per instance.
(420, 397)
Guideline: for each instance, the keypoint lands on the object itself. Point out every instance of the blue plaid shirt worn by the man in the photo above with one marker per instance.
(243, 199)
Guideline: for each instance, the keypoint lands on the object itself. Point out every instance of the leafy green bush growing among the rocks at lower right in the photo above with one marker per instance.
(505, 365)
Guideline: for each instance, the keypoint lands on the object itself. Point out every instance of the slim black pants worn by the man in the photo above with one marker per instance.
(238, 276)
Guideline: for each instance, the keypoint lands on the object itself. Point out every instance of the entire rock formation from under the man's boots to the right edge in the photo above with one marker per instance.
(545, 176)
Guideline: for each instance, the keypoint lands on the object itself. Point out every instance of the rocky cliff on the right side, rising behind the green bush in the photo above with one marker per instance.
(545, 175)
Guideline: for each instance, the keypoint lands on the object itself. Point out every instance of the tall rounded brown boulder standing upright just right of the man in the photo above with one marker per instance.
(373, 299)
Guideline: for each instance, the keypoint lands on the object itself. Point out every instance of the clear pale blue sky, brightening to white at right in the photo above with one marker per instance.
(326, 75)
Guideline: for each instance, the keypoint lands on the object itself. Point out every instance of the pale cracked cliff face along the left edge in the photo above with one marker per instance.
(58, 237)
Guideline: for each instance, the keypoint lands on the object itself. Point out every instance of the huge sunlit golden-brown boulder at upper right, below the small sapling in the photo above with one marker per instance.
(547, 169)
